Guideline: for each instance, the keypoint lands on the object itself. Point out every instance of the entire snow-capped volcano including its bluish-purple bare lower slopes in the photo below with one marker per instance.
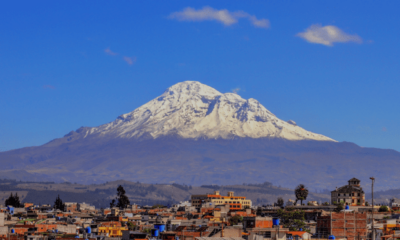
(194, 134)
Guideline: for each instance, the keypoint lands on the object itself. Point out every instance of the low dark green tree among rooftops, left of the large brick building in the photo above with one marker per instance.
(292, 219)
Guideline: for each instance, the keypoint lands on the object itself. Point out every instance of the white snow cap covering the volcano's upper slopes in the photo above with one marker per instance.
(191, 109)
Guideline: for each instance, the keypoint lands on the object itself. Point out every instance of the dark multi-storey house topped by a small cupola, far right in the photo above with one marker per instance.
(351, 194)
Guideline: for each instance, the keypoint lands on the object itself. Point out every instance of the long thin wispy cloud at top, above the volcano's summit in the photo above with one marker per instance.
(223, 16)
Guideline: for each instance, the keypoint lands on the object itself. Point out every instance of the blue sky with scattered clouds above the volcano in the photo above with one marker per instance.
(331, 66)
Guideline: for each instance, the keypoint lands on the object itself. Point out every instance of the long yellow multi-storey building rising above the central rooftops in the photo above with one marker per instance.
(235, 202)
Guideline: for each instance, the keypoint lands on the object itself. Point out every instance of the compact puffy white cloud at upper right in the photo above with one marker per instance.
(327, 35)
